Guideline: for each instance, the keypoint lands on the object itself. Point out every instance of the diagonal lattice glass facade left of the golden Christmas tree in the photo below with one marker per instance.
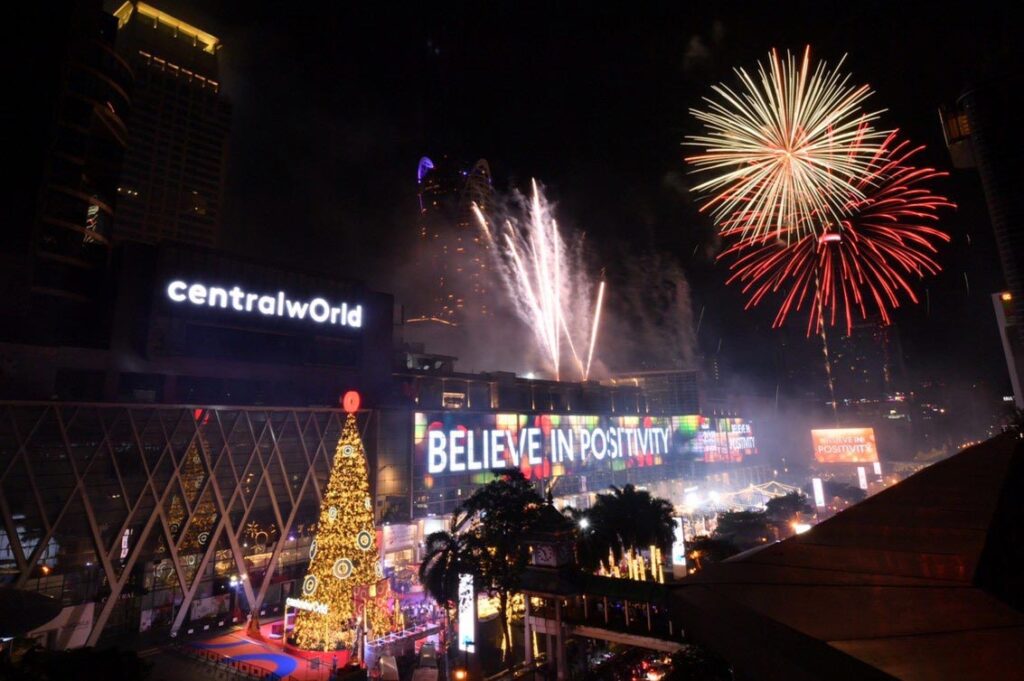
(96, 488)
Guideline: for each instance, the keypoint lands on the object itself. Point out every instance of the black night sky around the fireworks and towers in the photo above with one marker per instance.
(333, 110)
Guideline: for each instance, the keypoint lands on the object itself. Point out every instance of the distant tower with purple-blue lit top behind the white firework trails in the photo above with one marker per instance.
(457, 256)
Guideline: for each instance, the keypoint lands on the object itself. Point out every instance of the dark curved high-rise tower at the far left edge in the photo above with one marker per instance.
(57, 246)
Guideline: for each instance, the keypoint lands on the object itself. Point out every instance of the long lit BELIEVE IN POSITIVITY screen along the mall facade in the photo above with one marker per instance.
(456, 451)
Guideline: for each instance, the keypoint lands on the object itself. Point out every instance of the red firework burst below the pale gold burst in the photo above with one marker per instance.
(863, 264)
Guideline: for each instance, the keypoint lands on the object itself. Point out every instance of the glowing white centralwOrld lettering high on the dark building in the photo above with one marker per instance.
(268, 305)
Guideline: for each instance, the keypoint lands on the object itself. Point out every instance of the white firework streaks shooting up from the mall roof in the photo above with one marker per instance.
(547, 283)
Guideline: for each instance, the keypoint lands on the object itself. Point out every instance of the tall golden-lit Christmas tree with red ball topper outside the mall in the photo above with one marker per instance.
(345, 568)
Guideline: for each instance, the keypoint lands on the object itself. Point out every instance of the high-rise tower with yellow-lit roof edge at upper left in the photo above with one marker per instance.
(173, 185)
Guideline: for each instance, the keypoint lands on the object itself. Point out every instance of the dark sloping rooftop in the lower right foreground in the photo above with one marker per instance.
(923, 581)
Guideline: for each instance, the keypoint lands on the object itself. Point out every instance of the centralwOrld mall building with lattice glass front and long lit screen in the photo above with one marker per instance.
(167, 479)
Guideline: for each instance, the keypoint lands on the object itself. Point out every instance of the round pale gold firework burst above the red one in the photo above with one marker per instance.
(792, 144)
